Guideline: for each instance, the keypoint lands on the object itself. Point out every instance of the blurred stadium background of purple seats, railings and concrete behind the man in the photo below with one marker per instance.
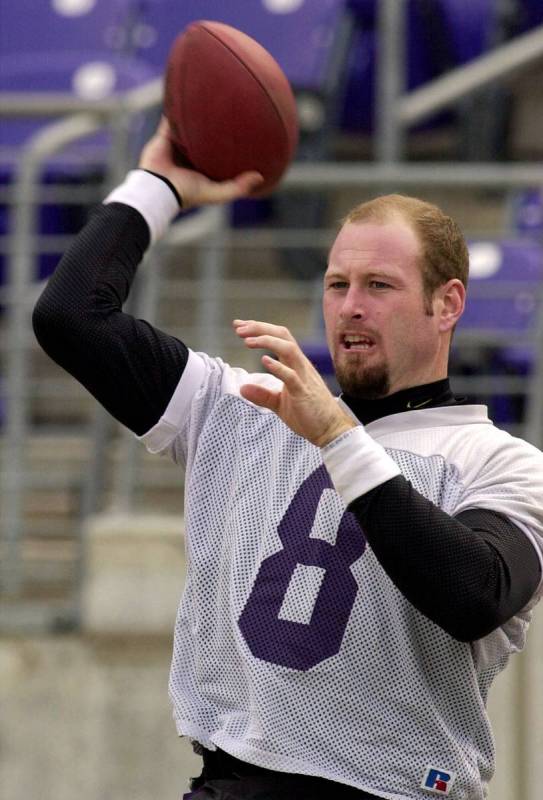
(438, 98)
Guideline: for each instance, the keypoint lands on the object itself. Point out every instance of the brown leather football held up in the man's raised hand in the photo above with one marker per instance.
(229, 105)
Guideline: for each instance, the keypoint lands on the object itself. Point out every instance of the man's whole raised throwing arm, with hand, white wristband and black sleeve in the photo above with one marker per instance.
(129, 366)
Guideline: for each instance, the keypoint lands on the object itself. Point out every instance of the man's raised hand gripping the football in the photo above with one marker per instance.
(195, 189)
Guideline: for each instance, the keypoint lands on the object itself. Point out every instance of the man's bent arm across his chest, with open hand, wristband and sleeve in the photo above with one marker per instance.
(469, 574)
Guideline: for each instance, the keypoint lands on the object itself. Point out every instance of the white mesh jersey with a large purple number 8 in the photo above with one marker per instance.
(293, 649)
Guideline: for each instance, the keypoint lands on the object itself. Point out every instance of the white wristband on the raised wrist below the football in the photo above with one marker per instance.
(149, 195)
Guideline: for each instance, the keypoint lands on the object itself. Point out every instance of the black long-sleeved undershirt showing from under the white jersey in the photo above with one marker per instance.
(468, 574)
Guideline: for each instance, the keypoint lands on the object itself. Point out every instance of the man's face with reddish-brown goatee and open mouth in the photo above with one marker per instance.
(381, 337)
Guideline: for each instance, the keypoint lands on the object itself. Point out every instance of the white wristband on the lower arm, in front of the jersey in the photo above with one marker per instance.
(356, 463)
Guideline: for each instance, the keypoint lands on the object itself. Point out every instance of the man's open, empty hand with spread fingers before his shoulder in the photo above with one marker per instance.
(304, 403)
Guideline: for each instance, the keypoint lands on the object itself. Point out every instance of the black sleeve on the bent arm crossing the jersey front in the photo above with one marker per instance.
(468, 574)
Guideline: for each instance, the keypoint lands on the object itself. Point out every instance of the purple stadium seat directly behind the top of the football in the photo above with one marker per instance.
(298, 34)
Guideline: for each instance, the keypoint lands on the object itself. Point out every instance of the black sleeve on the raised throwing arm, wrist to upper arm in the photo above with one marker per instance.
(129, 366)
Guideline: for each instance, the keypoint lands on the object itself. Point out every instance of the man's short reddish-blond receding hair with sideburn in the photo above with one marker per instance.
(444, 252)
